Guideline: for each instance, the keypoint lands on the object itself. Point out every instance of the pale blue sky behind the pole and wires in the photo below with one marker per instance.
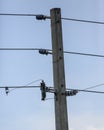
(23, 109)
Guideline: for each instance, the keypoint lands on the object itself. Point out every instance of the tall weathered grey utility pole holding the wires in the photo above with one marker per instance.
(61, 117)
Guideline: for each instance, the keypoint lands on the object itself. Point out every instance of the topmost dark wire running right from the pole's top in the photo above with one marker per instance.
(84, 21)
